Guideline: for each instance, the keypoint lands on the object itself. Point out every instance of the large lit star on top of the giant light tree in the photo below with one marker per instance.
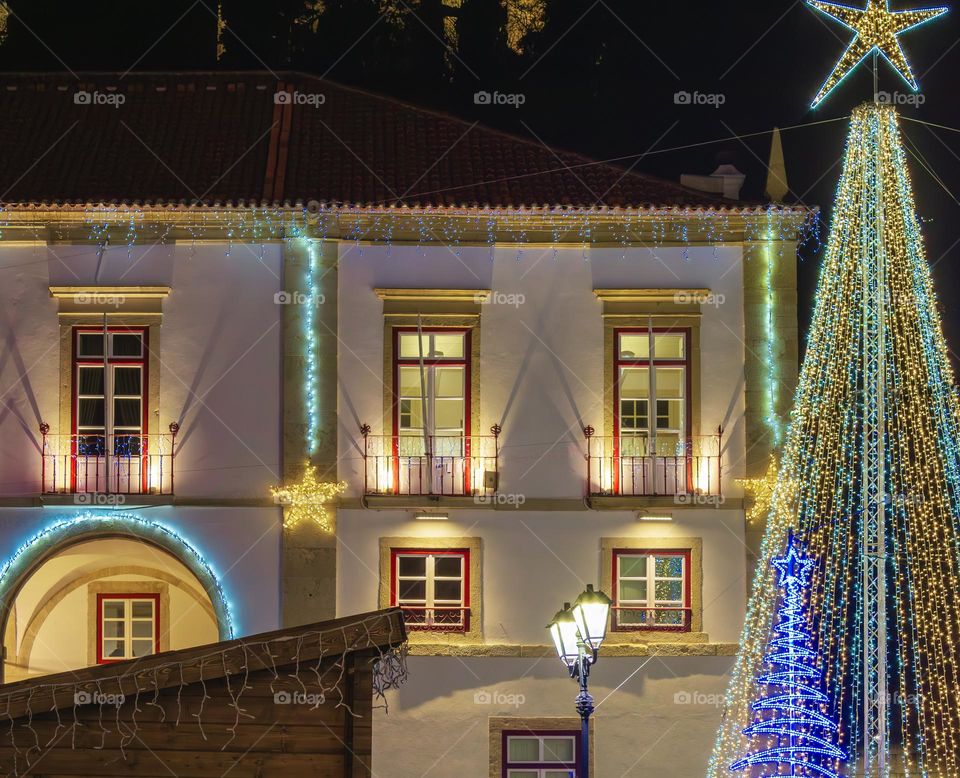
(878, 29)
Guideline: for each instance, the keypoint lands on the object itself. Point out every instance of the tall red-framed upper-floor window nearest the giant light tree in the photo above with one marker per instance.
(652, 403)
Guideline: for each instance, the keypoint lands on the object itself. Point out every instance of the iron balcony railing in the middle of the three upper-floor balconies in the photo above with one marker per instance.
(431, 465)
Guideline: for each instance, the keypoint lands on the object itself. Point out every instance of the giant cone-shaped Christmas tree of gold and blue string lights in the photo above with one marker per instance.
(870, 479)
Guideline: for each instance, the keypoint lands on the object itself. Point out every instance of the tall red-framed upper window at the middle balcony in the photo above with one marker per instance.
(431, 380)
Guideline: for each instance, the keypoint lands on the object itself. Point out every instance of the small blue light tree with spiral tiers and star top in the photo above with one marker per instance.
(792, 717)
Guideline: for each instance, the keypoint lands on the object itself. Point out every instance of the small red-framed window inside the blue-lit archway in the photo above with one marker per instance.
(128, 626)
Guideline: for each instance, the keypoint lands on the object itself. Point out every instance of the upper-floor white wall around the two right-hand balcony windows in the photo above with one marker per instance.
(541, 362)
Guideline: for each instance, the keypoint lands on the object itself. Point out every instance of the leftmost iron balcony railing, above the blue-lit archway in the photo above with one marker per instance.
(118, 463)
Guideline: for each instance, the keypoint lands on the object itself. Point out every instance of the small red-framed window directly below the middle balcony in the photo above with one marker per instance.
(433, 588)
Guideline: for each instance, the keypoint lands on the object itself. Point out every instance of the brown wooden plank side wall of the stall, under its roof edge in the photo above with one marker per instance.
(272, 737)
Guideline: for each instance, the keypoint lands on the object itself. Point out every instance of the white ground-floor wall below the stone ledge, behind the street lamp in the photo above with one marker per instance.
(656, 717)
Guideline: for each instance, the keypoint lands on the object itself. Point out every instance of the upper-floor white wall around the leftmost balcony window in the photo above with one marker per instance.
(220, 357)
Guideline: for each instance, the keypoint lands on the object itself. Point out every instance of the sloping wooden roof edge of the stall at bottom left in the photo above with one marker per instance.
(381, 631)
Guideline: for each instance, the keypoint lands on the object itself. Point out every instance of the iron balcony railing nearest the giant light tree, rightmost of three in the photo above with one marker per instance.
(636, 466)
